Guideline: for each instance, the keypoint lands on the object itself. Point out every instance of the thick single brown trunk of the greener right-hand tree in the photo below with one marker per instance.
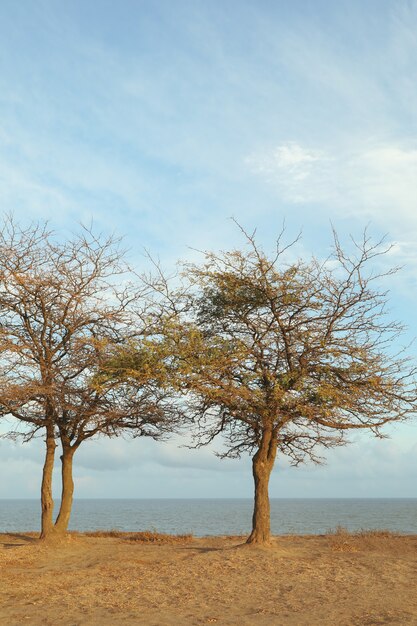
(262, 464)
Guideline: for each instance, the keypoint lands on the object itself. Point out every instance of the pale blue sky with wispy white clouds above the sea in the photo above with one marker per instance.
(160, 120)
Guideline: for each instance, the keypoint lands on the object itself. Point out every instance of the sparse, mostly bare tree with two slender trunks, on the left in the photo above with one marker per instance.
(65, 310)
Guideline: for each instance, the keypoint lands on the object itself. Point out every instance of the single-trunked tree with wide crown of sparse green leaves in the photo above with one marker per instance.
(286, 358)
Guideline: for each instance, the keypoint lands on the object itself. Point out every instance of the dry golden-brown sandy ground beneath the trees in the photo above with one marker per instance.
(333, 579)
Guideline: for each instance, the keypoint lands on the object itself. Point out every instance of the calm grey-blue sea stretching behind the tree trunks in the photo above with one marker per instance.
(220, 516)
